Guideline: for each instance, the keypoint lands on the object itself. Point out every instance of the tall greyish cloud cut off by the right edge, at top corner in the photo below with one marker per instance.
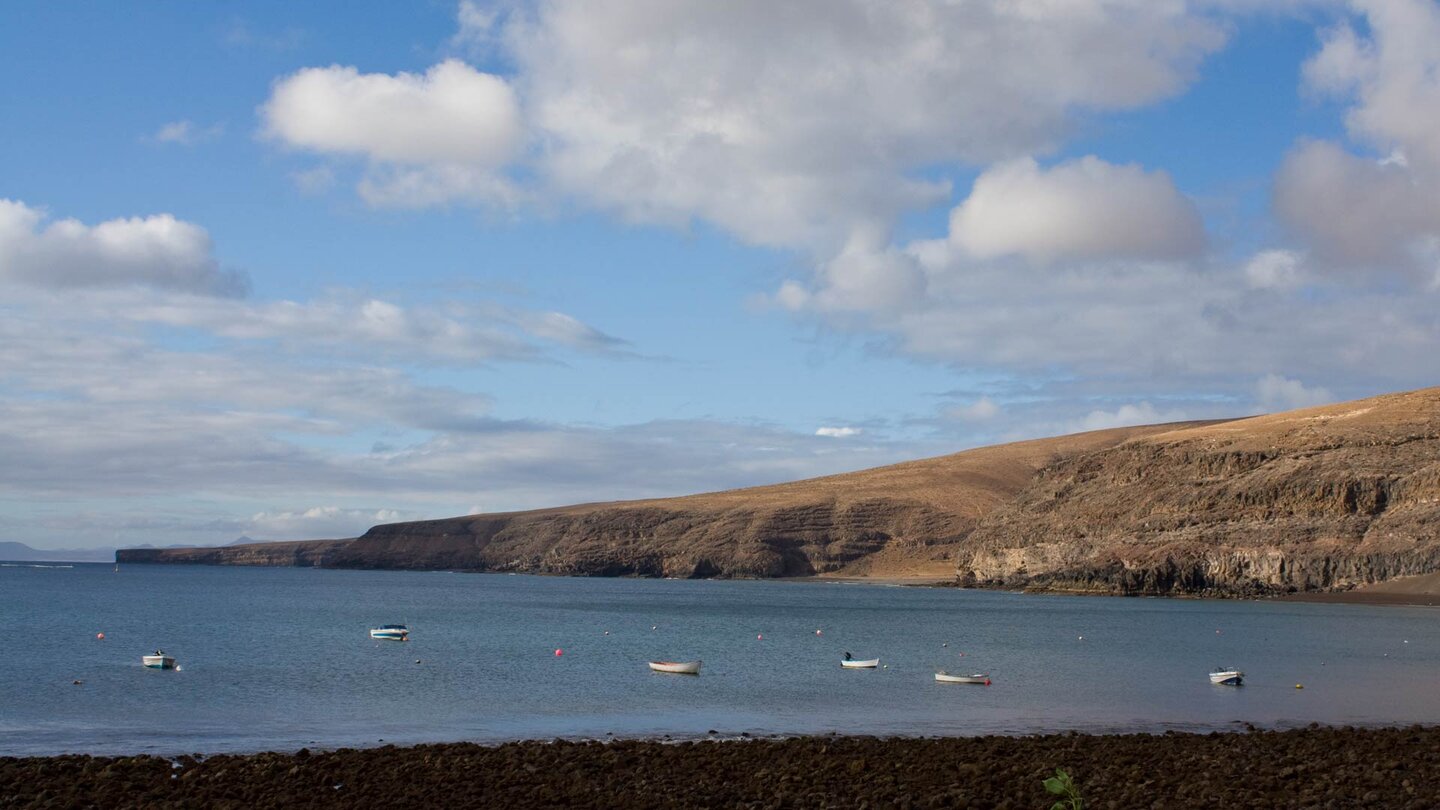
(1374, 213)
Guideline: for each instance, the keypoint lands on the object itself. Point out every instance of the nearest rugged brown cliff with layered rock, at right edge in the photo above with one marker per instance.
(1320, 499)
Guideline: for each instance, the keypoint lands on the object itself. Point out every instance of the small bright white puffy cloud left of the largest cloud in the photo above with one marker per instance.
(430, 138)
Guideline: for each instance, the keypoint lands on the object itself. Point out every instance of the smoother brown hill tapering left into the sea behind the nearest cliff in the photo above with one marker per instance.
(901, 521)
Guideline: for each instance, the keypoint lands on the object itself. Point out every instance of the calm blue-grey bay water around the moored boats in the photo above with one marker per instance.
(280, 659)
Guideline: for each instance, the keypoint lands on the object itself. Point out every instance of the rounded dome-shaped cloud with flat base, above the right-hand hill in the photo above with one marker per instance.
(1082, 210)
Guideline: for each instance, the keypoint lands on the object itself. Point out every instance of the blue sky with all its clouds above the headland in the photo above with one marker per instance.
(292, 270)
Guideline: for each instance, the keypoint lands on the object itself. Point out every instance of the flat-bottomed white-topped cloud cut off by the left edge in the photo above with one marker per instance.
(155, 252)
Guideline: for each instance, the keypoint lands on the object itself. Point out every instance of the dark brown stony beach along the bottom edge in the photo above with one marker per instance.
(1315, 767)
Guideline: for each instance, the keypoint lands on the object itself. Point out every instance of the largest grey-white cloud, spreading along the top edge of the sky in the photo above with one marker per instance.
(791, 126)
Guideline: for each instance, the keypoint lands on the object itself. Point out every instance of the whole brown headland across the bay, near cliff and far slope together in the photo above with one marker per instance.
(1320, 499)
